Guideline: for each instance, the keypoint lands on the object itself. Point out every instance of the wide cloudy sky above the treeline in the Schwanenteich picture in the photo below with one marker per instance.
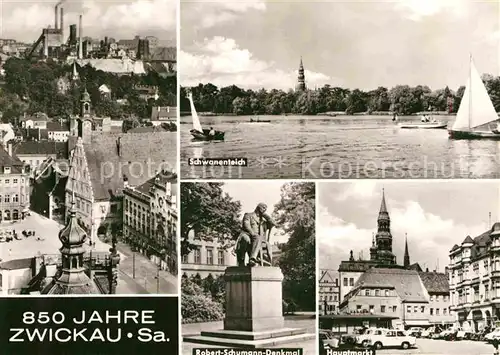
(349, 43)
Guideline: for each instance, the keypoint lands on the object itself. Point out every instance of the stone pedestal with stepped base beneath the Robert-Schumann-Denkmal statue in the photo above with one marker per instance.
(254, 316)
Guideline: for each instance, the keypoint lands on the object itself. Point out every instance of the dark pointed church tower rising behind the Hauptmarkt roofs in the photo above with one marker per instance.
(383, 237)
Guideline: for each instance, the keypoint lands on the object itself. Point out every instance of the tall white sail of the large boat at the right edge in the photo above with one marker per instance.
(476, 108)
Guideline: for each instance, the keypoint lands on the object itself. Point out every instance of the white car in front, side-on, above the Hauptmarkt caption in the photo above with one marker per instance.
(380, 338)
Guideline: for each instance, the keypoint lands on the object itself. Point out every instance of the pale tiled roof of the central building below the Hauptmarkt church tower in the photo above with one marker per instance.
(407, 283)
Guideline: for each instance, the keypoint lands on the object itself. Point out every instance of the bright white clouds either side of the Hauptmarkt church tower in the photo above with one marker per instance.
(430, 237)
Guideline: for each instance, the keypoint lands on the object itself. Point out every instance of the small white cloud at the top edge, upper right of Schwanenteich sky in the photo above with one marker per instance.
(420, 9)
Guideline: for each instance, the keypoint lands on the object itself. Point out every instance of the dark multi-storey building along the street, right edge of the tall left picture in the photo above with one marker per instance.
(150, 219)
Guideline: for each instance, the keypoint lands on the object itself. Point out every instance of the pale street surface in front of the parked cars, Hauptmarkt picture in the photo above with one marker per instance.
(443, 347)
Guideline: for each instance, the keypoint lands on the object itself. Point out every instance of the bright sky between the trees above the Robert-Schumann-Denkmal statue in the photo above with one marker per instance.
(251, 193)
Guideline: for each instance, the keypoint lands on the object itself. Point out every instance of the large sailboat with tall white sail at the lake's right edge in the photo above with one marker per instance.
(476, 112)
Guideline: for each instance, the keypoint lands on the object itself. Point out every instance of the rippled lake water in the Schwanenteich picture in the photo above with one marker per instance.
(347, 147)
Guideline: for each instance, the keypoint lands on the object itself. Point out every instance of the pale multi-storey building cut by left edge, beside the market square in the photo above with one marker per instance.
(14, 186)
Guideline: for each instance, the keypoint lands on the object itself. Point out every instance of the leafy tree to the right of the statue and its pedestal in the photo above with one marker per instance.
(296, 214)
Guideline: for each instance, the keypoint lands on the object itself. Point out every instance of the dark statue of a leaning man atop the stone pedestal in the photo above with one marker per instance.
(254, 227)
